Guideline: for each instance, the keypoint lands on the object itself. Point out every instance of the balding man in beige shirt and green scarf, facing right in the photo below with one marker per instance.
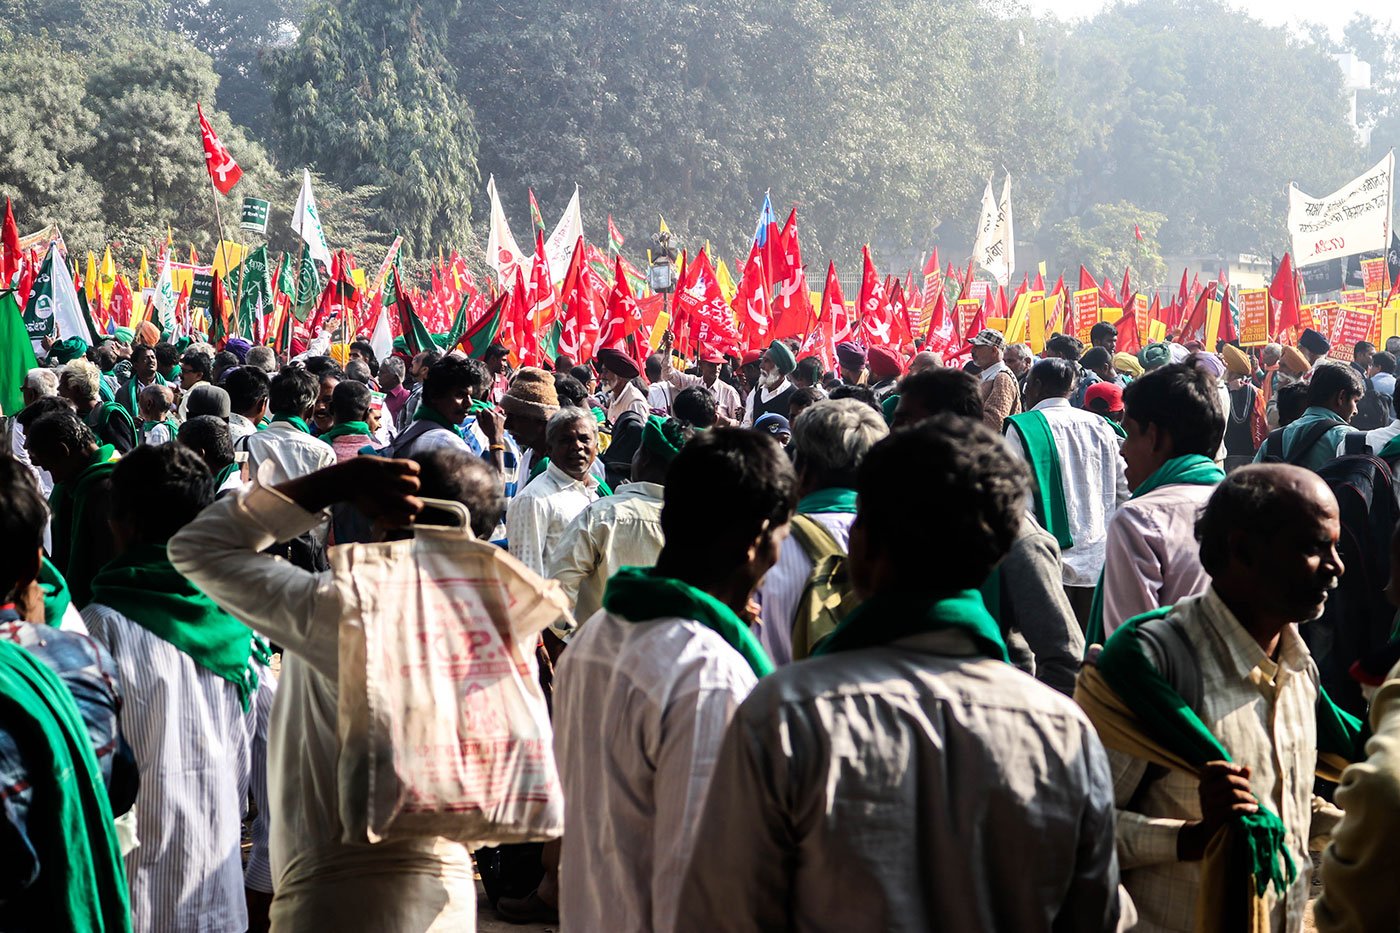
(1269, 544)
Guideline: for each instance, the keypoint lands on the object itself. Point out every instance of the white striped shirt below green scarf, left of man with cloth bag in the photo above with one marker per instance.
(201, 756)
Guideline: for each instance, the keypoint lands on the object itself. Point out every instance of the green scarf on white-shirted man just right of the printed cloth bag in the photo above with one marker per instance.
(640, 595)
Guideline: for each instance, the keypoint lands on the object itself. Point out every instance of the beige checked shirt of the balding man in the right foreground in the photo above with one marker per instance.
(1265, 715)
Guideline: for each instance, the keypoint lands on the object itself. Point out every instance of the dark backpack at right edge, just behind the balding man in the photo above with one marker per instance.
(1357, 618)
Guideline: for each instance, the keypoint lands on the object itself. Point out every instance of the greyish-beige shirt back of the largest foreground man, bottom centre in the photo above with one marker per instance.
(915, 787)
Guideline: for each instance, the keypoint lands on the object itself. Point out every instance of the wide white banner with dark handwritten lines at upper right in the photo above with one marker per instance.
(1353, 219)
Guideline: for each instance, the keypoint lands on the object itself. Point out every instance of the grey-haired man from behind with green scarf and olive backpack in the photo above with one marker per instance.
(829, 442)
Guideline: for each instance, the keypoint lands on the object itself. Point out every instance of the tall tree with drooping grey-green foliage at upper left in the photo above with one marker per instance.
(367, 99)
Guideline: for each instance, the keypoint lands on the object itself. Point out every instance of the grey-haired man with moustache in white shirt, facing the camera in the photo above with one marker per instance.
(540, 513)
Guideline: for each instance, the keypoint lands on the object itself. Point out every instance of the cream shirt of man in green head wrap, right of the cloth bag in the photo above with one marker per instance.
(617, 532)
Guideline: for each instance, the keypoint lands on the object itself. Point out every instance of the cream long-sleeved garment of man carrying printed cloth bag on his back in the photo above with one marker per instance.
(409, 886)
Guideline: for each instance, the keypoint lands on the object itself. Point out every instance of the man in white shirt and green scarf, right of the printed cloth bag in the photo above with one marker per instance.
(647, 687)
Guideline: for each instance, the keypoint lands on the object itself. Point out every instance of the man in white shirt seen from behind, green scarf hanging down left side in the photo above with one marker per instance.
(1084, 452)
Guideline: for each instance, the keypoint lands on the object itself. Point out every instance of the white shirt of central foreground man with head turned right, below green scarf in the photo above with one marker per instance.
(640, 711)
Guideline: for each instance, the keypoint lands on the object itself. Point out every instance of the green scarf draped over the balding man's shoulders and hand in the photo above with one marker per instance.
(1172, 725)
